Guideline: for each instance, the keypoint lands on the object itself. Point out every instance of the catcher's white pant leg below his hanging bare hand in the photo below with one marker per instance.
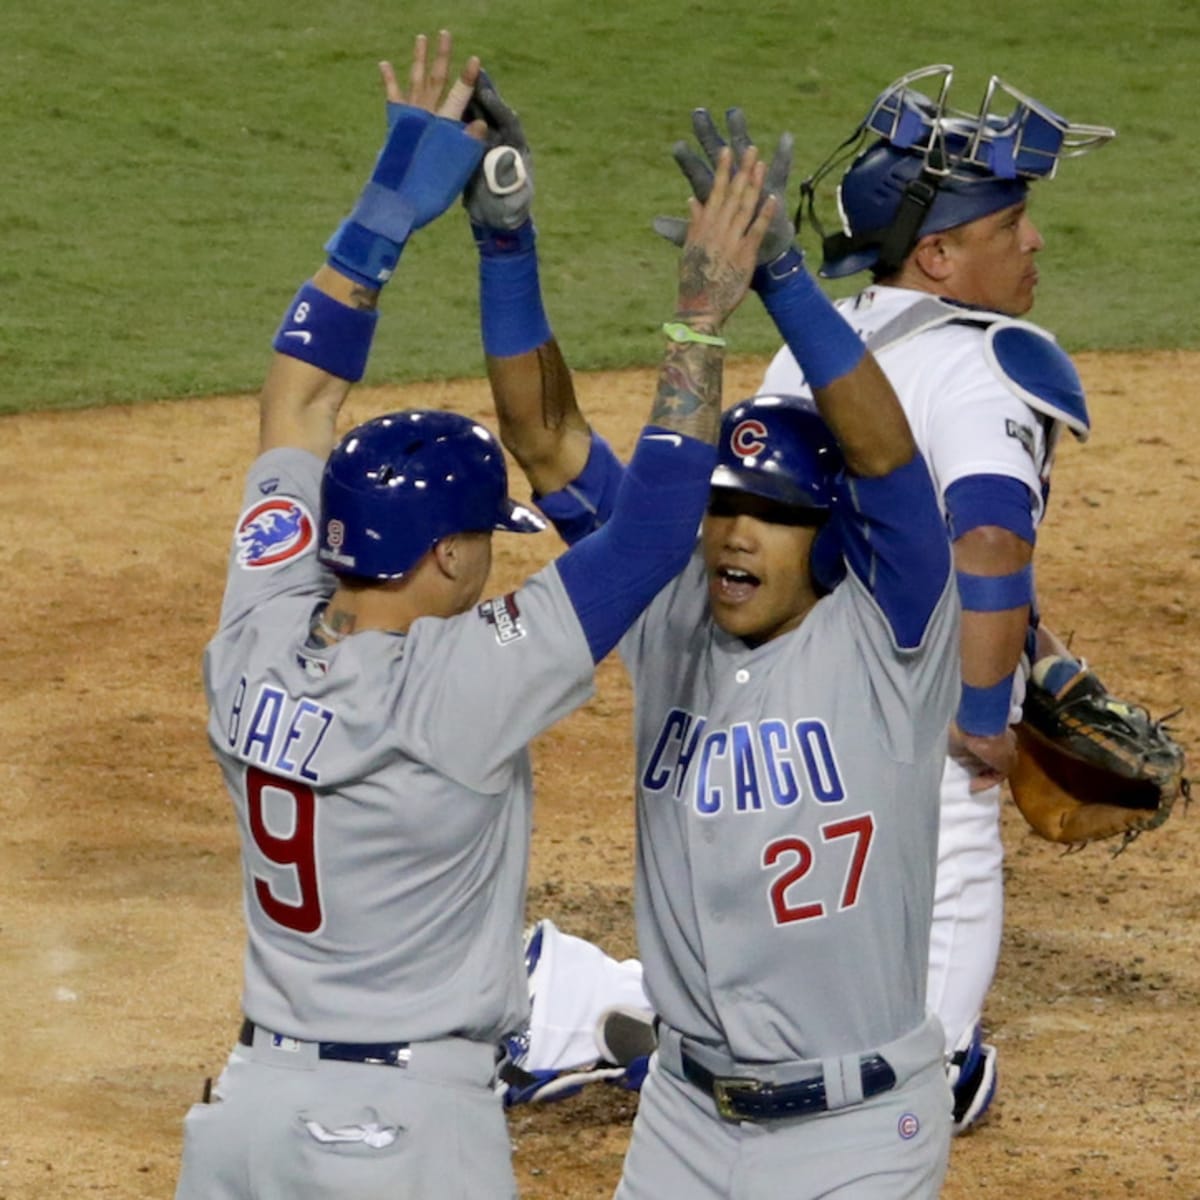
(969, 904)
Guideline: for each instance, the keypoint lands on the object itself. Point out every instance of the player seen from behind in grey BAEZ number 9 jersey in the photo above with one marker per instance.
(371, 717)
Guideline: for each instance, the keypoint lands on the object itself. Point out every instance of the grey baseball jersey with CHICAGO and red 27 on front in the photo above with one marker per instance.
(788, 821)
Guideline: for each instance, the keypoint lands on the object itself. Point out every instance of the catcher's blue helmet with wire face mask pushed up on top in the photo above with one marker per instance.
(932, 169)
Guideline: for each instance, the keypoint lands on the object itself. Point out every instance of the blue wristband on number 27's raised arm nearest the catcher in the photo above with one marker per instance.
(823, 343)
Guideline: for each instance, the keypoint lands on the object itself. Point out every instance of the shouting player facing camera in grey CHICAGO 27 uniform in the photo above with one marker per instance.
(794, 689)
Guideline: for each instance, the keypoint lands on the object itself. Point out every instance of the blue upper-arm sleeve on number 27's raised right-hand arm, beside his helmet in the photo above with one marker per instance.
(896, 542)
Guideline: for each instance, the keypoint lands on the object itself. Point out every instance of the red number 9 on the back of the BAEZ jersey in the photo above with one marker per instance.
(296, 853)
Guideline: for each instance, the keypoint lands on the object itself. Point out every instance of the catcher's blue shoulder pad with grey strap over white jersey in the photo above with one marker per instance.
(1024, 357)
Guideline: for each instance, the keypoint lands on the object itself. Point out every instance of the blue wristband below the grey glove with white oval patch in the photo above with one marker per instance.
(511, 308)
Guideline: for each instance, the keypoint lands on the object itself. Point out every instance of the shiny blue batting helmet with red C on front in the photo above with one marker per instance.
(779, 448)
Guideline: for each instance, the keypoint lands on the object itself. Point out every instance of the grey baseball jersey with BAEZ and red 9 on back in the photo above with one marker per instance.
(382, 787)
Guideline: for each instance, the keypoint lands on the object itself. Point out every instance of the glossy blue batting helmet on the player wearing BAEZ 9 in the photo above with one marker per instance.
(397, 485)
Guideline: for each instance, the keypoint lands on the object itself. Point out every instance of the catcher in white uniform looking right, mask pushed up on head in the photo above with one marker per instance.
(934, 202)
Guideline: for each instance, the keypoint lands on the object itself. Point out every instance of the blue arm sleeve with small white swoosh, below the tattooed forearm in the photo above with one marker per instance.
(615, 573)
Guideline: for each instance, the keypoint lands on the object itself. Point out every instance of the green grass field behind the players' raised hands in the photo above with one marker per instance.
(172, 171)
